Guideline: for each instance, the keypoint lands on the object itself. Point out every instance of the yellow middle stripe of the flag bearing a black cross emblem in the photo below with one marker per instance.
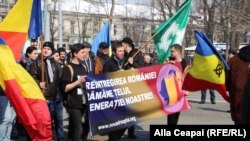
(208, 68)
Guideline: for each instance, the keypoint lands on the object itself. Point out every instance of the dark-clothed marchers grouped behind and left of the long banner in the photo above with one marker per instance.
(63, 84)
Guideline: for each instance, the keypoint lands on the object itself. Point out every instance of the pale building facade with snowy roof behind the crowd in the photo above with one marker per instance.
(84, 26)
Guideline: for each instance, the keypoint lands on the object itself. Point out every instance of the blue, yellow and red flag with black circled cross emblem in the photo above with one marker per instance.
(208, 70)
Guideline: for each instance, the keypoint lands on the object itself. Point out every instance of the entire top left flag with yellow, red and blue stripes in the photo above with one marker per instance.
(22, 22)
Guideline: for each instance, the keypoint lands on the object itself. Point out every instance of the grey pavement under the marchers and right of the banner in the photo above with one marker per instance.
(199, 114)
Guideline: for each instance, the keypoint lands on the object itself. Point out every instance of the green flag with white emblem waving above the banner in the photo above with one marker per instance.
(171, 32)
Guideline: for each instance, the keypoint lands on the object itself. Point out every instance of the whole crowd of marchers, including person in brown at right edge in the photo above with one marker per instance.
(64, 78)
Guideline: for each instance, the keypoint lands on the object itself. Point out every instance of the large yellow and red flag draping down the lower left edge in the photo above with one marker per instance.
(25, 96)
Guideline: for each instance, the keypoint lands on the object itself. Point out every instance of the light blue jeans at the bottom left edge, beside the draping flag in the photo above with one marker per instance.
(7, 116)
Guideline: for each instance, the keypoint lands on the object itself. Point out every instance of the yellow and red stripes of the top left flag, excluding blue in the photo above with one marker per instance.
(14, 28)
